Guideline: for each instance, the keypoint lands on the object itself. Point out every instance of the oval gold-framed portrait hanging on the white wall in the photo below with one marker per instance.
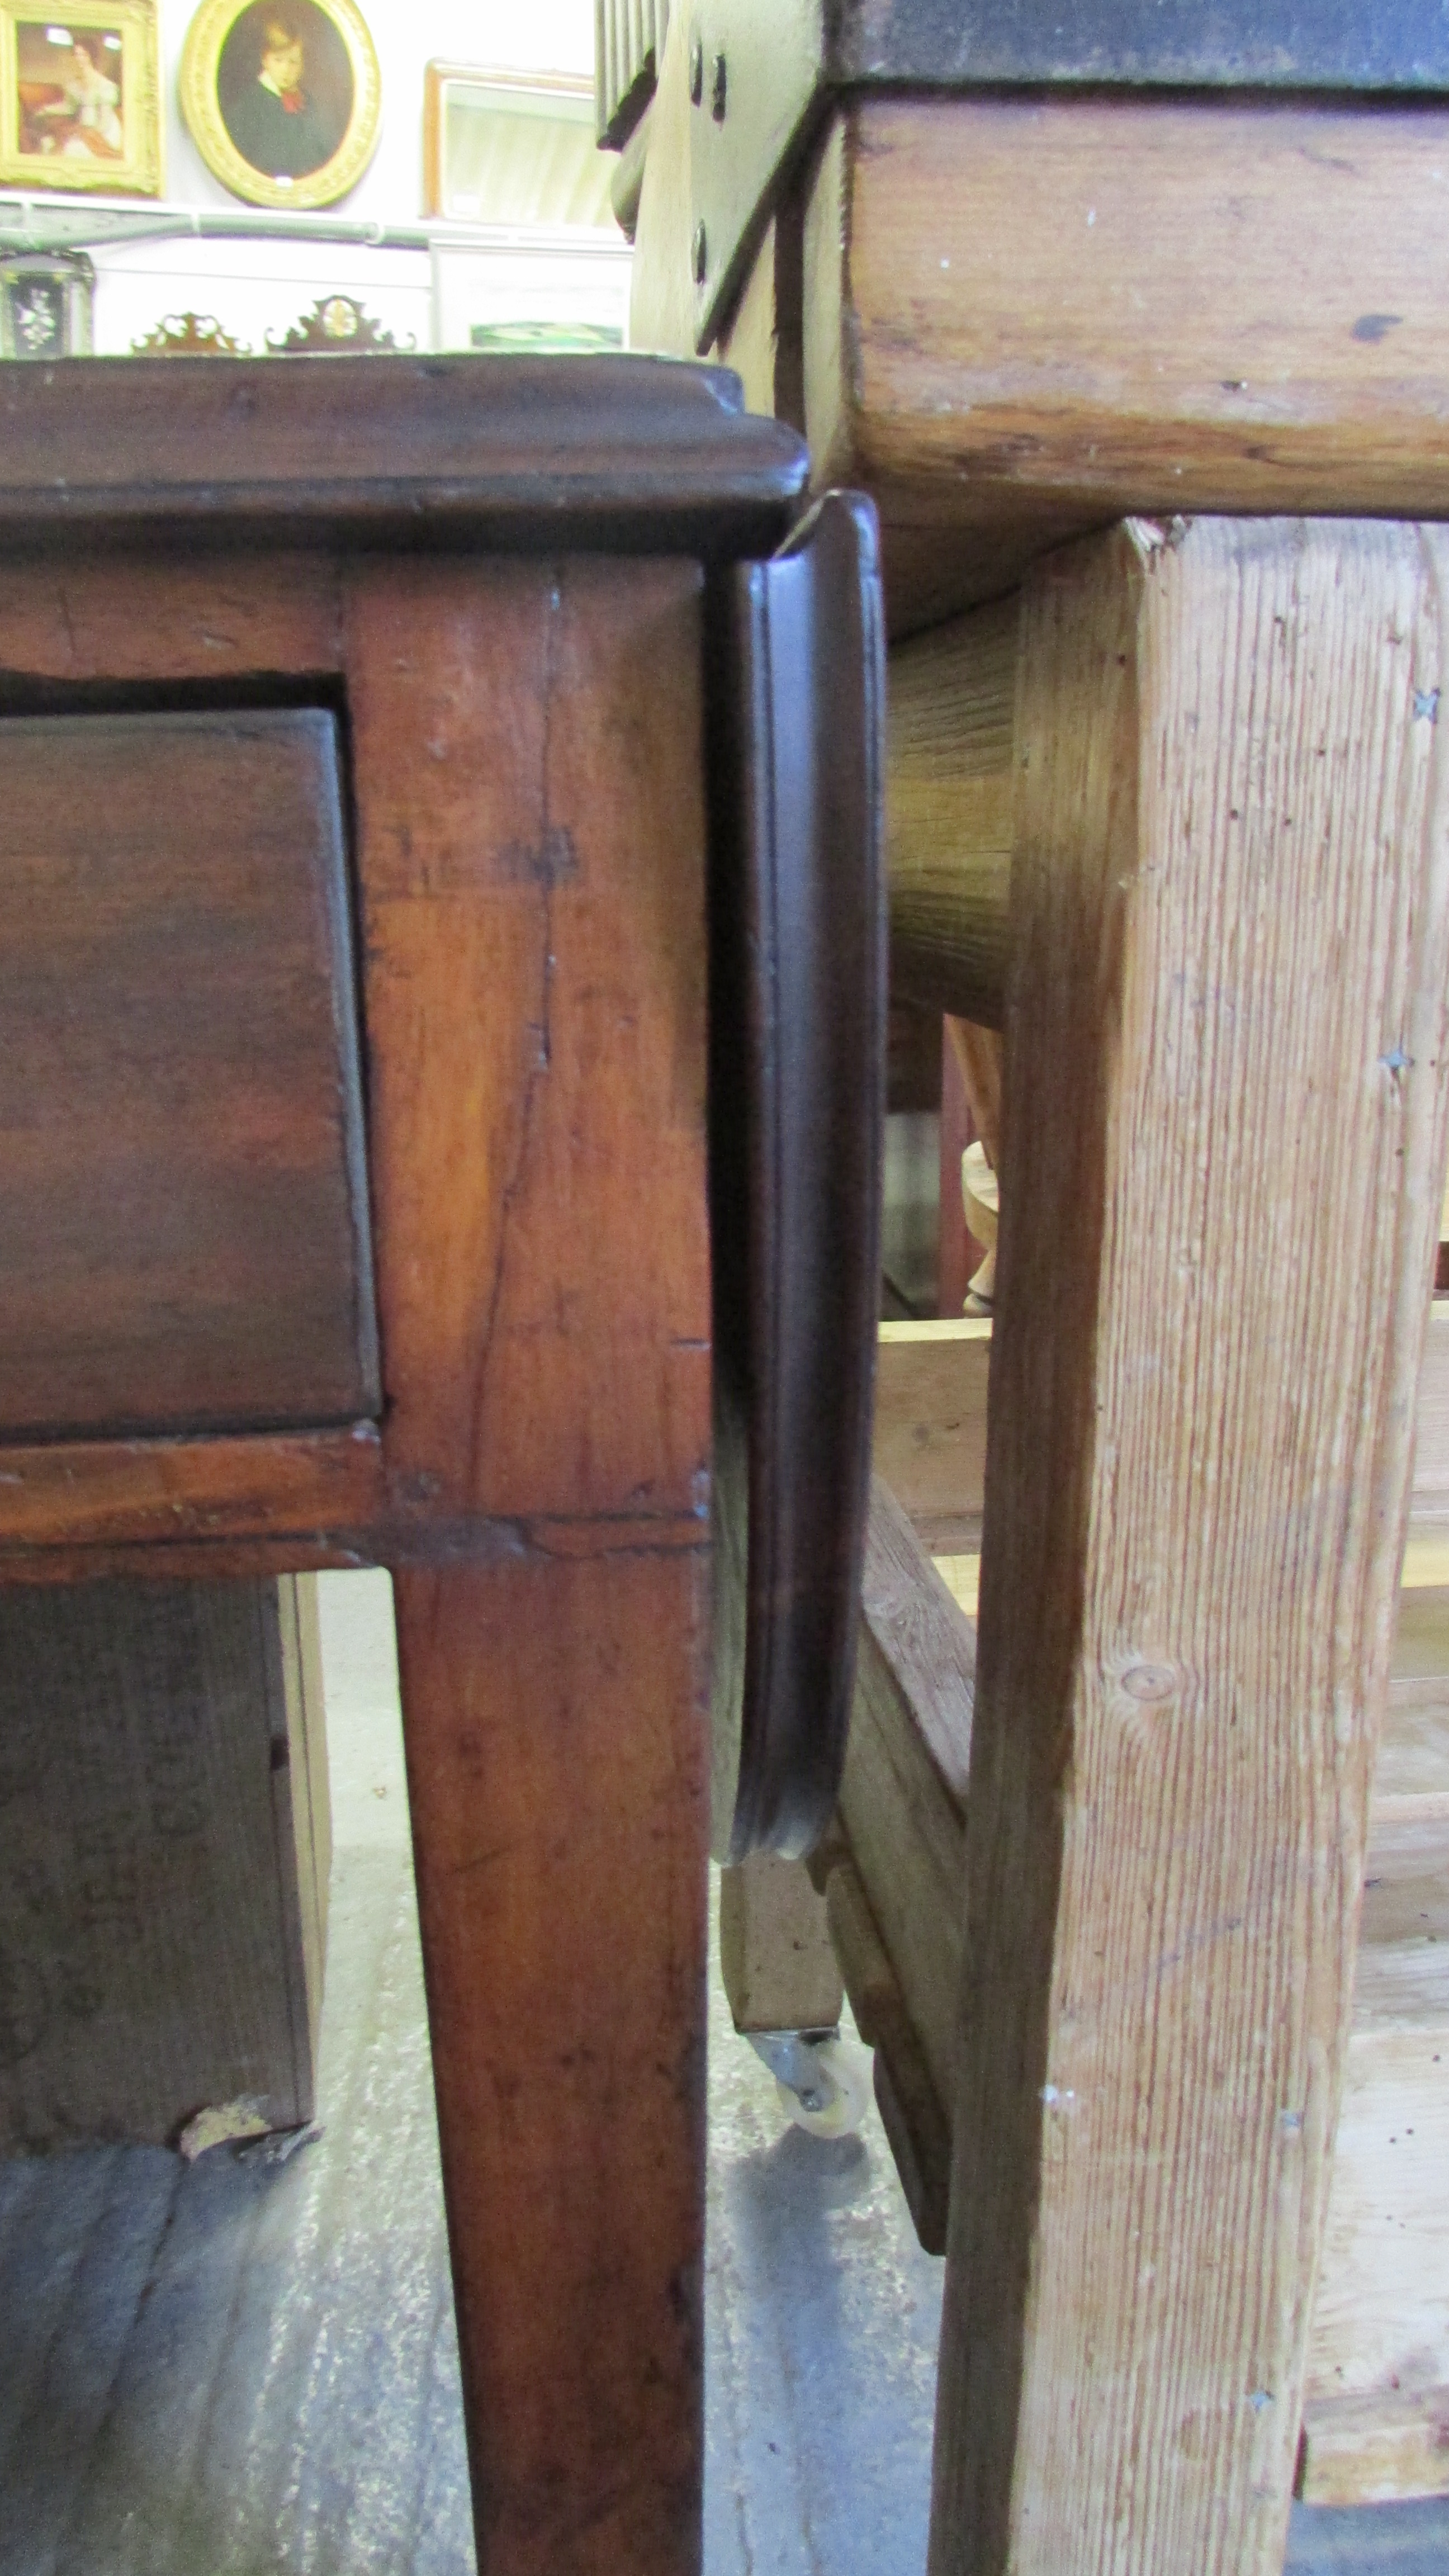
(282, 99)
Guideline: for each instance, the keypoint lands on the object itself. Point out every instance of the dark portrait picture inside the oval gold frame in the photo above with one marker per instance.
(285, 89)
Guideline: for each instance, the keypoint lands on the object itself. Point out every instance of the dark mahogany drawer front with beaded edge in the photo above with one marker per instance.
(182, 1166)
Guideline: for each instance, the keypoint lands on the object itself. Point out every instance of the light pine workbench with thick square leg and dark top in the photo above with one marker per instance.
(1187, 857)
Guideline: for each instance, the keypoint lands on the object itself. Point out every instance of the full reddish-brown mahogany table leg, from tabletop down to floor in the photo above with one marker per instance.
(535, 970)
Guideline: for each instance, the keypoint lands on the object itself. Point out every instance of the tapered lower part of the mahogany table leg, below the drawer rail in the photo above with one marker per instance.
(558, 1784)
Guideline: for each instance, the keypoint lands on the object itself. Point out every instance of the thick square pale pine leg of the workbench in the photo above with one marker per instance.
(1226, 1148)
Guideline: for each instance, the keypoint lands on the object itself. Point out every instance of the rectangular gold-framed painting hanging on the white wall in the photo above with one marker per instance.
(81, 97)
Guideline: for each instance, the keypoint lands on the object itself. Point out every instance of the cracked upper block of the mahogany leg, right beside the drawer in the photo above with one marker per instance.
(535, 970)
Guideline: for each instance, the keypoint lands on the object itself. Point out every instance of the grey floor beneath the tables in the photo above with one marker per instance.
(249, 2369)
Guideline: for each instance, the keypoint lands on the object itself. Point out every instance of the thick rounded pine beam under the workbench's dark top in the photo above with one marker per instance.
(1030, 316)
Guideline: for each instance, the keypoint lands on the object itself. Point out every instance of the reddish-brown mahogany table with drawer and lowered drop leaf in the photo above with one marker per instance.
(365, 735)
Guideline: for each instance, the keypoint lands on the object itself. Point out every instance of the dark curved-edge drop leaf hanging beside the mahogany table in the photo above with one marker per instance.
(798, 1104)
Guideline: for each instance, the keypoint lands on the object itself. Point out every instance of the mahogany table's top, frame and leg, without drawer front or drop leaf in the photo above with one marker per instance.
(527, 764)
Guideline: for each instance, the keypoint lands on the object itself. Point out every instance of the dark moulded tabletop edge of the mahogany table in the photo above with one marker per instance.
(641, 457)
